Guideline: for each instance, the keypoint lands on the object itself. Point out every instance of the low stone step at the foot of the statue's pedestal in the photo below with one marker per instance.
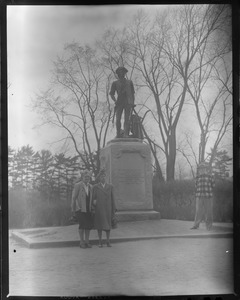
(140, 215)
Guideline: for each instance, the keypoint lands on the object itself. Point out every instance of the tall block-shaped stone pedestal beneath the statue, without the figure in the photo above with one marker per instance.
(128, 167)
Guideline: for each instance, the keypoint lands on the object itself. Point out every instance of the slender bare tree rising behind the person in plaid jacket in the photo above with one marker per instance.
(210, 88)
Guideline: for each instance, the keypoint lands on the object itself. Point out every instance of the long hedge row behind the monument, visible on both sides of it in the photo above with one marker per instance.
(174, 200)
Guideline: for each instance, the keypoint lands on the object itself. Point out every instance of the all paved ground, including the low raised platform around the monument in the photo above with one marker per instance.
(160, 257)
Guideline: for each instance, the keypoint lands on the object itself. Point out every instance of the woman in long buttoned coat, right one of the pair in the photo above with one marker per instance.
(104, 207)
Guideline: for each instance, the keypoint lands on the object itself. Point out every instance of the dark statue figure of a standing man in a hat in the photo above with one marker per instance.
(125, 100)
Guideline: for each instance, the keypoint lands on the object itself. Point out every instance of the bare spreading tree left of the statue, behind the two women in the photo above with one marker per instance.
(78, 103)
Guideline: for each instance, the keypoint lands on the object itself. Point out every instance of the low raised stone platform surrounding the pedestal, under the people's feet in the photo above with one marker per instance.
(126, 231)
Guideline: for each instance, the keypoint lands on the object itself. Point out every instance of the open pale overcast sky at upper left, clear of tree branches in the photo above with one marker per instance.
(35, 36)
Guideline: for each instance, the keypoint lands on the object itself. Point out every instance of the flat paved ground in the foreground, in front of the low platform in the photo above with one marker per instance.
(169, 266)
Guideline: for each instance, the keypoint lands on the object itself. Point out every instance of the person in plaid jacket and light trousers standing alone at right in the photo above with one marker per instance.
(204, 196)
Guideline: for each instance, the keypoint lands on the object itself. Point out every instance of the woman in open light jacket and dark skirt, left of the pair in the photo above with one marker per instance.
(81, 206)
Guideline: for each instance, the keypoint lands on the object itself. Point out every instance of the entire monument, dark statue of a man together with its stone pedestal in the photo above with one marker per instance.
(127, 160)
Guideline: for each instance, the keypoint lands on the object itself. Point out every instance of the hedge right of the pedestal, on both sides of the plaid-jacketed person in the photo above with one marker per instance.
(176, 200)
